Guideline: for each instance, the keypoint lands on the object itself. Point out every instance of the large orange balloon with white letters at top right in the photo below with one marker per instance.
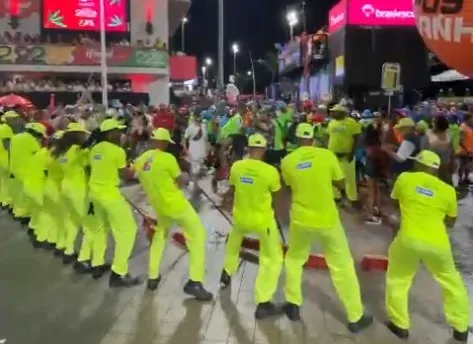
(447, 29)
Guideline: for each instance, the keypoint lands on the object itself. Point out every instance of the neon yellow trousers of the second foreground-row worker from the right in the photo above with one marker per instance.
(339, 261)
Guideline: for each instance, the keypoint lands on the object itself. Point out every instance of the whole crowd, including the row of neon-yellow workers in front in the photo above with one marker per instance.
(320, 154)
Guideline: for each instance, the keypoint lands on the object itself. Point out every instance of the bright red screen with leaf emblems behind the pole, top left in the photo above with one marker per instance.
(85, 15)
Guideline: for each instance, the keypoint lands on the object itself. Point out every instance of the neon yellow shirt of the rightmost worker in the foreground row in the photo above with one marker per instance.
(424, 200)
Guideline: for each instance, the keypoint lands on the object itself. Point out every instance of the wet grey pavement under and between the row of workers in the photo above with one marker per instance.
(41, 301)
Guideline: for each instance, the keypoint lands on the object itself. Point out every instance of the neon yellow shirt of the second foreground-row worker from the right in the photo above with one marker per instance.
(309, 172)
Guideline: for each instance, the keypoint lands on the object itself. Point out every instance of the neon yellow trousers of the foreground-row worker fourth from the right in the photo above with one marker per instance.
(196, 236)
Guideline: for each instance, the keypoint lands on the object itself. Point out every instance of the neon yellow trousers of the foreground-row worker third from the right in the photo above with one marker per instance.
(270, 258)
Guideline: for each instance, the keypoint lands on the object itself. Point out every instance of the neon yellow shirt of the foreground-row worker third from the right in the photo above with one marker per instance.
(254, 182)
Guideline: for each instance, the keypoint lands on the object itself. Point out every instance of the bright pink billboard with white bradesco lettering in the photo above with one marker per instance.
(381, 13)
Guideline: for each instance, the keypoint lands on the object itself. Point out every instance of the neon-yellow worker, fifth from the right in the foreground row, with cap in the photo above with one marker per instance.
(107, 164)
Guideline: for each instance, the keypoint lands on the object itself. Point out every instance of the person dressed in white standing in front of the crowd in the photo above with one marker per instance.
(195, 142)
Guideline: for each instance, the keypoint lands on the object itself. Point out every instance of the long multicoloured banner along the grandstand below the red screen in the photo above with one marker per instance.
(64, 55)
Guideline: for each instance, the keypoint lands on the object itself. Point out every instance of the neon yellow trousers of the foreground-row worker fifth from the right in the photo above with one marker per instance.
(117, 214)
